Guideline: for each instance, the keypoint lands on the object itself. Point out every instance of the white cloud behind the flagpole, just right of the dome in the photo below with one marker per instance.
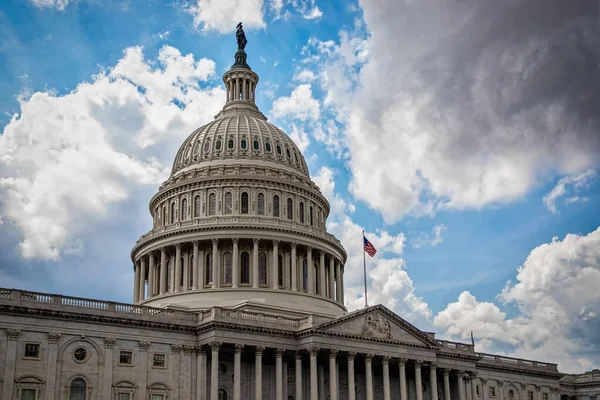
(387, 280)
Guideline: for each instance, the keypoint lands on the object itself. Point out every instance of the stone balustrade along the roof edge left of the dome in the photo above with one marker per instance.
(90, 306)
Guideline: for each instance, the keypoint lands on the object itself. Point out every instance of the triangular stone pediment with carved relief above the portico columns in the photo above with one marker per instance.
(377, 322)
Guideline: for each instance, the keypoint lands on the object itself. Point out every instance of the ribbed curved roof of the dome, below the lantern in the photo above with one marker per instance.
(239, 137)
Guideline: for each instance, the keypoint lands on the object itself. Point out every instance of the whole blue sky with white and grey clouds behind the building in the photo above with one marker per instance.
(465, 146)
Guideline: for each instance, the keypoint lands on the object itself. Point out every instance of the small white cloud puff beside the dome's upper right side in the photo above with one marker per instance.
(300, 105)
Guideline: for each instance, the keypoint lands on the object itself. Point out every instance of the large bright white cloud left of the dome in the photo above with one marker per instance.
(67, 159)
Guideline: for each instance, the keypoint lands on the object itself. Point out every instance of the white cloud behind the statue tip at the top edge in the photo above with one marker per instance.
(224, 15)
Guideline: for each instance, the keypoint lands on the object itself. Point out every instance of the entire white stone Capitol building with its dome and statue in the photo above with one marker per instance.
(239, 294)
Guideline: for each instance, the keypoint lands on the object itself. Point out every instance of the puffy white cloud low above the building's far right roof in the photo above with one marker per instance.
(558, 302)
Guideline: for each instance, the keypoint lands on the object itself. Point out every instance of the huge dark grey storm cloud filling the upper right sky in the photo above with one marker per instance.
(455, 113)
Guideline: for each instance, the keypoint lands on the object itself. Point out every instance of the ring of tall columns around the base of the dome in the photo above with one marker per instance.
(329, 268)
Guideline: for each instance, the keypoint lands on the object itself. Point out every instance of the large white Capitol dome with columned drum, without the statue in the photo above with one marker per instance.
(239, 224)
